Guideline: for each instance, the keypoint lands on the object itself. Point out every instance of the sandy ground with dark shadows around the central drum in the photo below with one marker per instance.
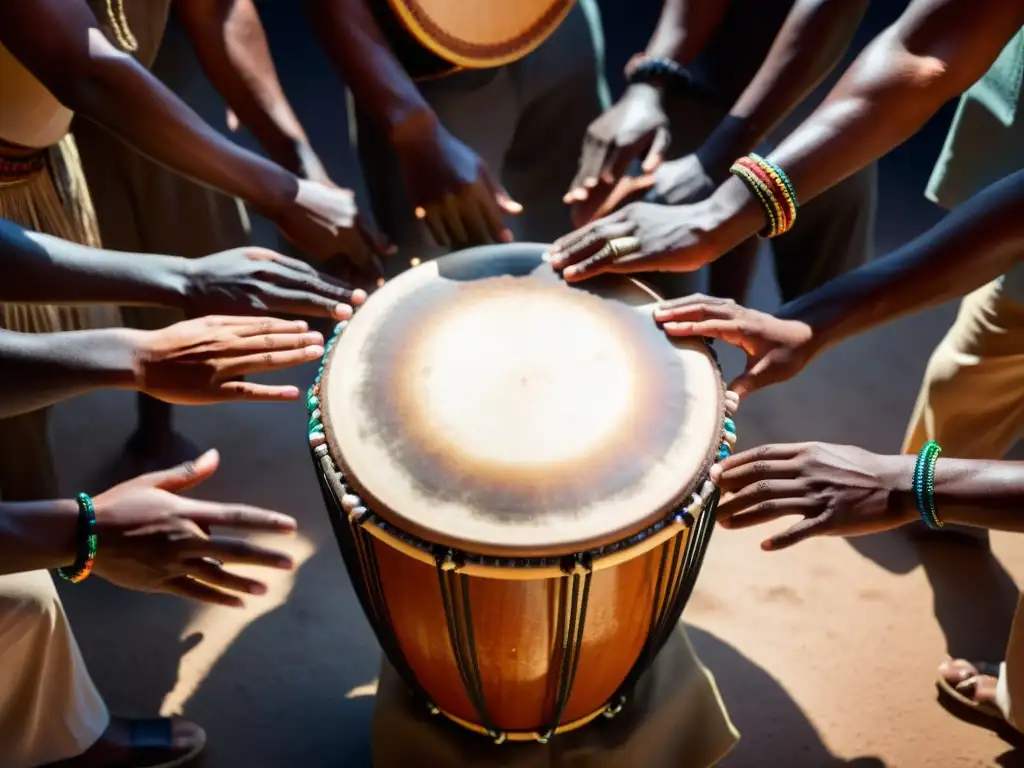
(826, 654)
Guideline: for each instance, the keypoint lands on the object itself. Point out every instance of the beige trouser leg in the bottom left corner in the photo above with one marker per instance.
(50, 708)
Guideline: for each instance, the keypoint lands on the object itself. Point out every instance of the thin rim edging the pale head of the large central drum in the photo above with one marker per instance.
(414, 531)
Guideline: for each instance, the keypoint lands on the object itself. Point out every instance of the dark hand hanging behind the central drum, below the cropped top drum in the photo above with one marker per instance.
(452, 190)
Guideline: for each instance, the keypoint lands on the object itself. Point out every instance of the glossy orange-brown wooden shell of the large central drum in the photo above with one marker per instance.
(519, 619)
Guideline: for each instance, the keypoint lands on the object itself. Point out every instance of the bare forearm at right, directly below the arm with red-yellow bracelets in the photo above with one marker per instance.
(975, 244)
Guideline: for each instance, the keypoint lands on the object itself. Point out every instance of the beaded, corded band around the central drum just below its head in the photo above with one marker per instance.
(685, 514)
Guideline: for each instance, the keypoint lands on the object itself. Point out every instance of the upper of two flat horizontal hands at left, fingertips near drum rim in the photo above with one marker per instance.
(257, 281)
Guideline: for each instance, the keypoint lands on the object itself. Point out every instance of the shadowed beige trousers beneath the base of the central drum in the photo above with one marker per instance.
(676, 720)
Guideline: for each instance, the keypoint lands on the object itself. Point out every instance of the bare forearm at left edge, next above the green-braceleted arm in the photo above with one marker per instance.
(39, 370)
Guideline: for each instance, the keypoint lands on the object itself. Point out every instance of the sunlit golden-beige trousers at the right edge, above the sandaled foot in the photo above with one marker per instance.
(972, 404)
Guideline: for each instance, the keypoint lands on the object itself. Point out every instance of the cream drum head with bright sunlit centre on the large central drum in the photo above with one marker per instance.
(481, 403)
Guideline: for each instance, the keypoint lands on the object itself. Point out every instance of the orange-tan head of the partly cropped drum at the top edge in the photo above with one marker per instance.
(482, 33)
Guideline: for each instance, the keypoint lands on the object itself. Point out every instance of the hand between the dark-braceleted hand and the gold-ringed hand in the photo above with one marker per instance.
(676, 183)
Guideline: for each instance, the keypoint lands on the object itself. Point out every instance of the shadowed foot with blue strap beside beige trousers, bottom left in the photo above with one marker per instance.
(142, 744)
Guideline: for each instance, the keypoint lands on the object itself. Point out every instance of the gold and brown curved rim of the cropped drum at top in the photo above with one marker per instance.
(472, 56)
